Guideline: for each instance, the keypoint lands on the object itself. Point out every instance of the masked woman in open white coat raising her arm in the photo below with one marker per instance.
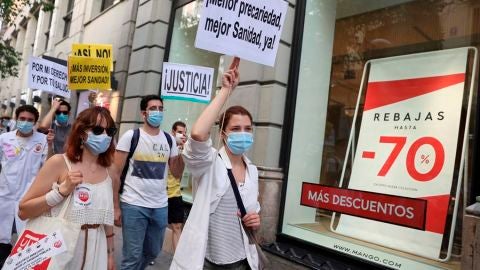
(214, 236)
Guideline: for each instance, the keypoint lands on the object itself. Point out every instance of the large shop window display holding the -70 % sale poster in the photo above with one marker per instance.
(329, 90)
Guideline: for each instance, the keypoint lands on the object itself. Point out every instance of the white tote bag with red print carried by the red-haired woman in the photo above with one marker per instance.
(42, 227)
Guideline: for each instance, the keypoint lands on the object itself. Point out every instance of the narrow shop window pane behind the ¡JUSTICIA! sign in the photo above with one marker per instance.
(183, 51)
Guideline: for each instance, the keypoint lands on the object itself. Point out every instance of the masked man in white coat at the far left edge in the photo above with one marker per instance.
(22, 153)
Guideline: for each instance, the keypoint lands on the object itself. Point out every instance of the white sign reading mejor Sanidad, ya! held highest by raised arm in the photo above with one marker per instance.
(249, 29)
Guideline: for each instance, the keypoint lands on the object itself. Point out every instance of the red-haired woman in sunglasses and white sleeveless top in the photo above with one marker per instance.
(89, 154)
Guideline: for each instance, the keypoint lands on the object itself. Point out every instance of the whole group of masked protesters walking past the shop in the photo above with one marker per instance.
(62, 162)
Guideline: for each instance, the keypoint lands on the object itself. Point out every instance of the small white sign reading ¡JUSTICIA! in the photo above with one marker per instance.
(187, 82)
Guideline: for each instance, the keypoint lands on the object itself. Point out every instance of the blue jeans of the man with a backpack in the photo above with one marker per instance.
(143, 230)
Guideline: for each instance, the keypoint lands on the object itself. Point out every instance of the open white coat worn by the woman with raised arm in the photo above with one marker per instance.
(211, 181)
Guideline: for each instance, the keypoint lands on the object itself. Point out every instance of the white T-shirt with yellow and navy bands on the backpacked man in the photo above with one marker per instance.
(145, 182)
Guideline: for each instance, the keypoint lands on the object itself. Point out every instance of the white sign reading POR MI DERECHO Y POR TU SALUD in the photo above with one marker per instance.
(48, 76)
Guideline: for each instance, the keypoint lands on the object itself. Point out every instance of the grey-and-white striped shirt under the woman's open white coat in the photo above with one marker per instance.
(225, 240)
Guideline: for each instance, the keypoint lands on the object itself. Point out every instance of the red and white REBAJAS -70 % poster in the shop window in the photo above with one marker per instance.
(407, 145)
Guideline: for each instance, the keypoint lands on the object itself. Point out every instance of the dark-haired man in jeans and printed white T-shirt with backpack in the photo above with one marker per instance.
(145, 155)
